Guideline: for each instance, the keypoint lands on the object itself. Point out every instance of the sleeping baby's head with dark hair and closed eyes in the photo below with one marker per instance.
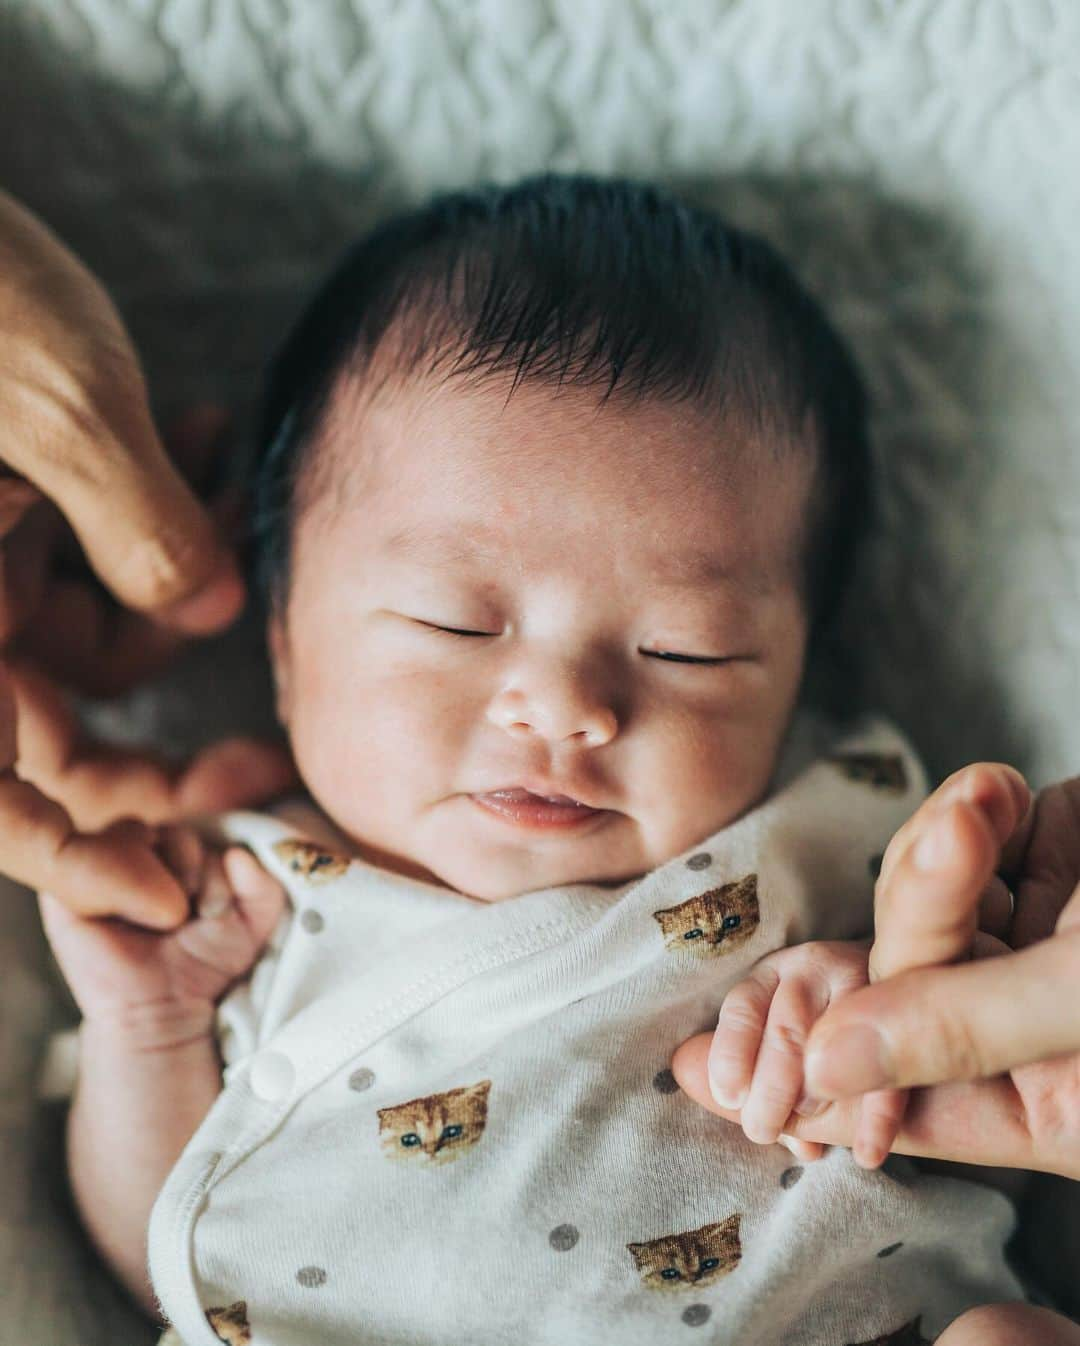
(557, 481)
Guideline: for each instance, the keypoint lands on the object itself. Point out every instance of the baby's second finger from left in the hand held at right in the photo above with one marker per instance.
(778, 1091)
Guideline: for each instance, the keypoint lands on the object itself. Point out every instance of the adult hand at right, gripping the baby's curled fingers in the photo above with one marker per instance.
(997, 1040)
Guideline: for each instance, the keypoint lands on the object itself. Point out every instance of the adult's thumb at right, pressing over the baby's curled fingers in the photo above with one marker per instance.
(962, 1022)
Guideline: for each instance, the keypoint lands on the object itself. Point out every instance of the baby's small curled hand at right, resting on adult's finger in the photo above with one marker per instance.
(756, 1059)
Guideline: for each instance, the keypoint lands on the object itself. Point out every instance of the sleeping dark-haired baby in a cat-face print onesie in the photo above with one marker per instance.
(558, 485)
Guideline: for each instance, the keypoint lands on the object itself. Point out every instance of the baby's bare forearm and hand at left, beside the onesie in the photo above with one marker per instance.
(149, 1063)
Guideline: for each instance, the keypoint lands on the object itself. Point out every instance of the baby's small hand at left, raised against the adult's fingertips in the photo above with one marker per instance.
(154, 982)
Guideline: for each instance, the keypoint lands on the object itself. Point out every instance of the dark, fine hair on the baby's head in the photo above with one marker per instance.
(577, 281)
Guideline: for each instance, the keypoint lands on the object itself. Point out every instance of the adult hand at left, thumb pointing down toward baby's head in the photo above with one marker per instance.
(108, 562)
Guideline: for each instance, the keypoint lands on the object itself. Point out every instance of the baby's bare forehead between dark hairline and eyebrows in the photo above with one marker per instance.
(494, 476)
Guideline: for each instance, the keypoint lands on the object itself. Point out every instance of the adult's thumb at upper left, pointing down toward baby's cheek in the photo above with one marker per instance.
(77, 426)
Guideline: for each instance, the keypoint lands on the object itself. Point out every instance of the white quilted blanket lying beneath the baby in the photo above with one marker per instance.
(915, 158)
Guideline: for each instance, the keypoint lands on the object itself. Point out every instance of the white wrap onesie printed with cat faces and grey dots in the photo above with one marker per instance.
(452, 1122)
